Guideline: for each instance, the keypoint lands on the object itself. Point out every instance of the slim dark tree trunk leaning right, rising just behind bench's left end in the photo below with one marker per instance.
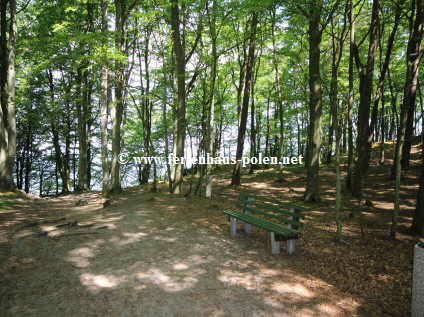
(245, 108)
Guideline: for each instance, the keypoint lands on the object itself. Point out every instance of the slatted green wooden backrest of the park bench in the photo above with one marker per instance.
(271, 208)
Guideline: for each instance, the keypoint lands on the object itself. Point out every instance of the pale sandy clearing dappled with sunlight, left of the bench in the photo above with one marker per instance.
(155, 256)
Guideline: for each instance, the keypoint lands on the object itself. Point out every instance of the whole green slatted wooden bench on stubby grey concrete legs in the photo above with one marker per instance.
(281, 219)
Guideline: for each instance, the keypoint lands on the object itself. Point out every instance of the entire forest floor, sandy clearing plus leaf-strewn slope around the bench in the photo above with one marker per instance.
(153, 254)
